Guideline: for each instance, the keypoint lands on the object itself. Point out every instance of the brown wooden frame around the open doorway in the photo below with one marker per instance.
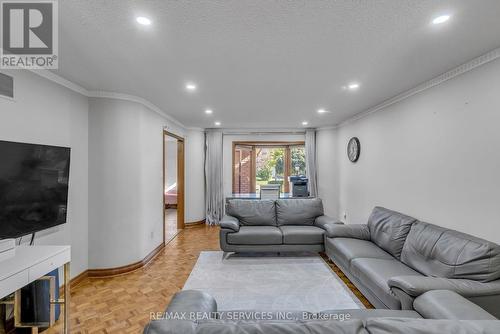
(180, 181)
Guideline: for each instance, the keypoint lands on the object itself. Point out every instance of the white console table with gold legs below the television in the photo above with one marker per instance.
(30, 263)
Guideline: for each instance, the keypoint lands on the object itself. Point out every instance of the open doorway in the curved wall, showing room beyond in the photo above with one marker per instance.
(173, 185)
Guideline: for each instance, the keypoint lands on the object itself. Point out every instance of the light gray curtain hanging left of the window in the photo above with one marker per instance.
(214, 192)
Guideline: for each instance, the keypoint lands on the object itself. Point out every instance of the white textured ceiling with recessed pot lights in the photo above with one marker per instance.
(268, 64)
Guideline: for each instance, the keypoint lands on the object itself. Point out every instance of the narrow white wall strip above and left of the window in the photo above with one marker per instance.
(228, 154)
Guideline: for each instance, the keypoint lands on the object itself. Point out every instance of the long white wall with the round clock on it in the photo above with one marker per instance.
(434, 156)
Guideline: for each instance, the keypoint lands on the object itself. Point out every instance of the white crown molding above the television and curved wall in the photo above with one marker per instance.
(105, 94)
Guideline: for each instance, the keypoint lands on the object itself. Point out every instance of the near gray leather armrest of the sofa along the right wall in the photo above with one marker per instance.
(416, 285)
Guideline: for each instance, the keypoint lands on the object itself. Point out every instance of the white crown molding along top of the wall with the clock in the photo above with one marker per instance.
(440, 79)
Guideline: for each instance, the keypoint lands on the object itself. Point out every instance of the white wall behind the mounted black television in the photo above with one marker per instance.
(43, 112)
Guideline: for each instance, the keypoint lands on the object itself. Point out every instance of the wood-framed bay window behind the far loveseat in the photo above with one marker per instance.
(260, 163)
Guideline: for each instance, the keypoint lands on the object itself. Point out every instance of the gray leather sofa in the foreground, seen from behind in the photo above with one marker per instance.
(436, 312)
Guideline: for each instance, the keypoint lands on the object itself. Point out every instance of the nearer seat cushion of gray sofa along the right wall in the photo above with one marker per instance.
(375, 273)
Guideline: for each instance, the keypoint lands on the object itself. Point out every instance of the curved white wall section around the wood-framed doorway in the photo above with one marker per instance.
(126, 181)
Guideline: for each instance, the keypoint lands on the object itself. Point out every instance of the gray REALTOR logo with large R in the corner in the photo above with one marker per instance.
(29, 35)
